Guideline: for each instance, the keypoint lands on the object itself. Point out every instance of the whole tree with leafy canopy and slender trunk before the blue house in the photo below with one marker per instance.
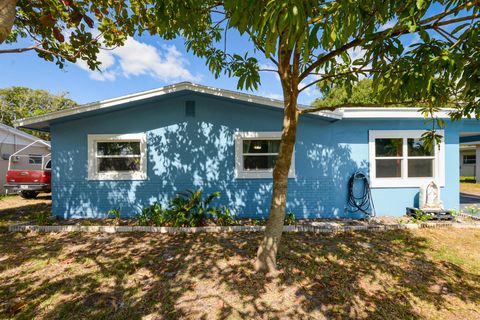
(311, 43)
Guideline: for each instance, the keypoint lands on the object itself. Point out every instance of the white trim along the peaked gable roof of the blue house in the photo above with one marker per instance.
(162, 91)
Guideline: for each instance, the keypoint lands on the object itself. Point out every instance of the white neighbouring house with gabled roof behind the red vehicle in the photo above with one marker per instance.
(11, 140)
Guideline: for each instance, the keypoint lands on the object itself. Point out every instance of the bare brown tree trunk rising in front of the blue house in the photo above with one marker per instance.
(267, 252)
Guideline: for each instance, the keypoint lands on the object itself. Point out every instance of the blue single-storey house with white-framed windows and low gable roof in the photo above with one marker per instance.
(130, 151)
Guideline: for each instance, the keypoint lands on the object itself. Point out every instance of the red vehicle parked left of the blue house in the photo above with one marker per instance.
(29, 170)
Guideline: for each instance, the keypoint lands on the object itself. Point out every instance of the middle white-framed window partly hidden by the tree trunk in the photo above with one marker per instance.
(256, 153)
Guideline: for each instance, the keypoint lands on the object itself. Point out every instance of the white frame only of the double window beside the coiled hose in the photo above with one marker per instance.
(404, 181)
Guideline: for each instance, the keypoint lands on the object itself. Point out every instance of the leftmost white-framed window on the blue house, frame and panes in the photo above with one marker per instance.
(117, 156)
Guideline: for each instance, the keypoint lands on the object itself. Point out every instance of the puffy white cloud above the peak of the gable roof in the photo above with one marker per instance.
(137, 58)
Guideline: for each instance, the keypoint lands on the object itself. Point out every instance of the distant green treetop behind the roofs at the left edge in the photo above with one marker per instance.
(20, 102)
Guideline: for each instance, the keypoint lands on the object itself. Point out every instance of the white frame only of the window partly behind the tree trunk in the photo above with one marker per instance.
(240, 173)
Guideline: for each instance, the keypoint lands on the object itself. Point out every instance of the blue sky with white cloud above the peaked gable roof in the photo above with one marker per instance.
(143, 63)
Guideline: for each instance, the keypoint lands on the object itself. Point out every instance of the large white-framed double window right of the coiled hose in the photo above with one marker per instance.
(398, 159)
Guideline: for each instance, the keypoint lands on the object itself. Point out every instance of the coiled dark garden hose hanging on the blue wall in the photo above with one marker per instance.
(362, 203)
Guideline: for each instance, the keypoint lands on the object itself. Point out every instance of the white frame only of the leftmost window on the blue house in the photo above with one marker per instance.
(93, 174)
